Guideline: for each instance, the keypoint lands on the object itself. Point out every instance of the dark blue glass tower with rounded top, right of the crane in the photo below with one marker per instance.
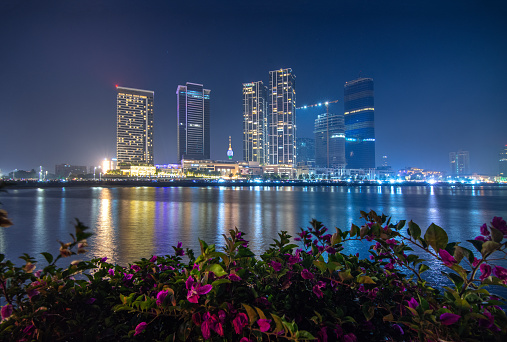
(359, 124)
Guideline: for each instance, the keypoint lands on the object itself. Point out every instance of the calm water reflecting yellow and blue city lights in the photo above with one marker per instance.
(131, 223)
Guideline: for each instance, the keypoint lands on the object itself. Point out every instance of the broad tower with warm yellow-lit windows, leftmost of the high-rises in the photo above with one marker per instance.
(134, 129)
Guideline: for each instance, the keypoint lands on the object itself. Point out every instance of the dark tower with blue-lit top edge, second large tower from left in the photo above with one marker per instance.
(193, 132)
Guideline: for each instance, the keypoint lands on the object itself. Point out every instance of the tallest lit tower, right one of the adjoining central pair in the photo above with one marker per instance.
(282, 117)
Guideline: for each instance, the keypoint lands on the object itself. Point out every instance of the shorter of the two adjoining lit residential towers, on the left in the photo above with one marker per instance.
(254, 122)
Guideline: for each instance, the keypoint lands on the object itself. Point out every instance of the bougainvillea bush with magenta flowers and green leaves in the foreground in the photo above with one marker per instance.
(309, 288)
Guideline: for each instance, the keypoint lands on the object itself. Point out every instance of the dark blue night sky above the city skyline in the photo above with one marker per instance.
(439, 67)
